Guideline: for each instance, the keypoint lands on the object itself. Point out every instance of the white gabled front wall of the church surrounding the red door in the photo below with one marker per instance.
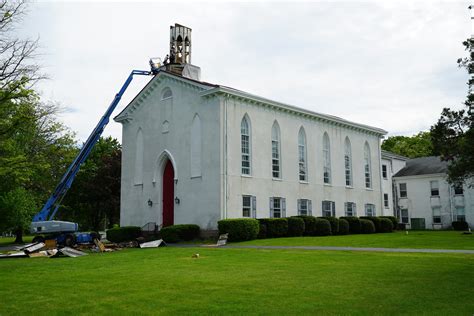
(199, 196)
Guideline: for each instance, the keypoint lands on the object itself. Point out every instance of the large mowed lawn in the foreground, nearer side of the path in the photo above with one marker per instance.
(239, 281)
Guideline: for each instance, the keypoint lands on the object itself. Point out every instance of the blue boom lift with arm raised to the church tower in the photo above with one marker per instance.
(63, 232)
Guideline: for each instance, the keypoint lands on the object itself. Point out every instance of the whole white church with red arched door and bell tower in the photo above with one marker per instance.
(195, 152)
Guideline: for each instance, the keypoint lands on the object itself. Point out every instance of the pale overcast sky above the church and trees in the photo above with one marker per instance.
(389, 64)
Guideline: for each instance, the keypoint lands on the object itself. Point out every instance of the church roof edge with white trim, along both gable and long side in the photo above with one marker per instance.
(209, 89)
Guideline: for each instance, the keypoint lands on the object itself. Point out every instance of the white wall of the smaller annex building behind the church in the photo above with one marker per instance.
(419, 201)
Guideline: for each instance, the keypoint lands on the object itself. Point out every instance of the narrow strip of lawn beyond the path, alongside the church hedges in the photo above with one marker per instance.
(414, 239)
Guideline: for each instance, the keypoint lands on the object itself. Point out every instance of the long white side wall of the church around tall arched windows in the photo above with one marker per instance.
(263, 186)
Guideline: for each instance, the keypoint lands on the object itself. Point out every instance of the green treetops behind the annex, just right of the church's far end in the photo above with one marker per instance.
(418, 145)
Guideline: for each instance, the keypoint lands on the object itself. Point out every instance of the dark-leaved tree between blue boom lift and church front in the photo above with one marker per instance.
(94, 198)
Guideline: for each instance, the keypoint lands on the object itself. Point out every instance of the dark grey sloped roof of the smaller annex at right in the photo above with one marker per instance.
(423, 166)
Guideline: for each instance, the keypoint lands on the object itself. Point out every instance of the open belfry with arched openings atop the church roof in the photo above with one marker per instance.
(180, 44)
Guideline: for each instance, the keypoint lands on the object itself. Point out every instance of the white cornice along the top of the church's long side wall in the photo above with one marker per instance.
(251, 98)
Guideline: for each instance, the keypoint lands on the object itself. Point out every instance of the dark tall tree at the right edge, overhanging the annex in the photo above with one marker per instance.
(453, 134)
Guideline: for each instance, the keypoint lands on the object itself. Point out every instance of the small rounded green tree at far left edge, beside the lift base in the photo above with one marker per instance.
(16, 209)
